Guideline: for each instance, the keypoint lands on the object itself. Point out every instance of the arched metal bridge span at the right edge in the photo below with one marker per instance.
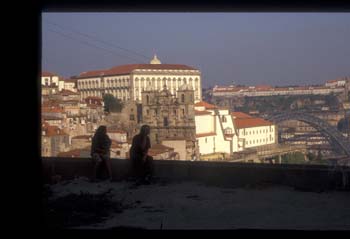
(333, 135)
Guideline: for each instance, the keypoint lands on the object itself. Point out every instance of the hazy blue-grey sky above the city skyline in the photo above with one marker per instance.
(241, 48)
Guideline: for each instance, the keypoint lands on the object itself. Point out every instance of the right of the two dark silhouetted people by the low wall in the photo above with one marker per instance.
(141, 162)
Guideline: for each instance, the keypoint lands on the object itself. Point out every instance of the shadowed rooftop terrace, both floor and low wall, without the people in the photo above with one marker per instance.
(207, 195)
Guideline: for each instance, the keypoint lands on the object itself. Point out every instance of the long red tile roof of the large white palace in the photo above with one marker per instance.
(127, 69)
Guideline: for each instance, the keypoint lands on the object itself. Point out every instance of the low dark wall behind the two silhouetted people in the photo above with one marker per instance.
(224, 174)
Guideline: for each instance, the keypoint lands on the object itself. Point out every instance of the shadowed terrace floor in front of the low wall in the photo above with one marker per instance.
(192, 205)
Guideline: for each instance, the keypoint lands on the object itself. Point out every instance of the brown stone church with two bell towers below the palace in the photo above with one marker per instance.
(171, 118)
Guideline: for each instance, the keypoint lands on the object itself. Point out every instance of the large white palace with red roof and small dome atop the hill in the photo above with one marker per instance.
(126, 82)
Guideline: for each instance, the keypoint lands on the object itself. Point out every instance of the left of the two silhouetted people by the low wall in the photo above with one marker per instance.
(100, 151)
